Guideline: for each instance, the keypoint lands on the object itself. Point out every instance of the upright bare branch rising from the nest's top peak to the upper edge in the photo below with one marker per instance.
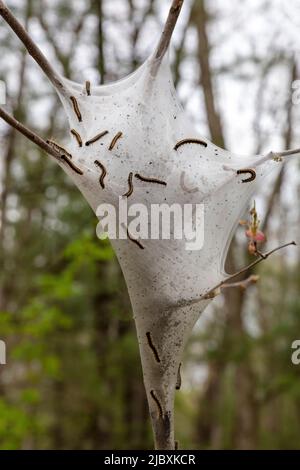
(167, 34)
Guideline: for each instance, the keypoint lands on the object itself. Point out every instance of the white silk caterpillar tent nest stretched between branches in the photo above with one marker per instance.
(136, 126)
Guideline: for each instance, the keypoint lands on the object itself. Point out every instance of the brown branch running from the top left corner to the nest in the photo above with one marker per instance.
(31, 47)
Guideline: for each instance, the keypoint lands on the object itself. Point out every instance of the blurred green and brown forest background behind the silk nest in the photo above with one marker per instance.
(73, 376)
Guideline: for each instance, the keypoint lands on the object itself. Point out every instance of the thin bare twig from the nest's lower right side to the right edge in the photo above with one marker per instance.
(214, 291)
